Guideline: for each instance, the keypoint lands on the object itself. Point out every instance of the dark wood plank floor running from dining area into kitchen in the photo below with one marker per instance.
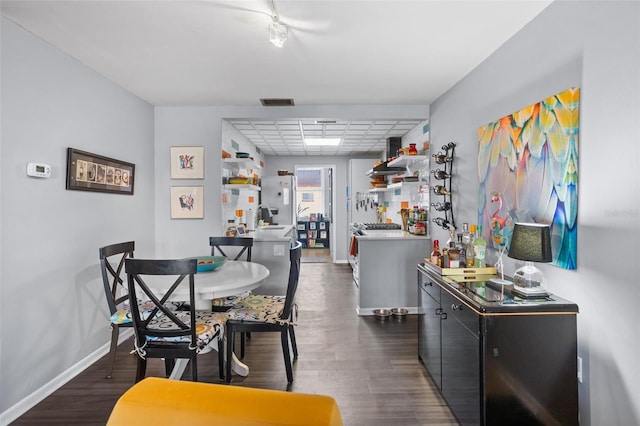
(370, 367)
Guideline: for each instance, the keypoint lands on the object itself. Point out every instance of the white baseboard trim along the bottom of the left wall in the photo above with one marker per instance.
(30, 401)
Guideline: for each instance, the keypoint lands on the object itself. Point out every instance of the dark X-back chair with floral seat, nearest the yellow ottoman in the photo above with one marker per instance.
(165, 333)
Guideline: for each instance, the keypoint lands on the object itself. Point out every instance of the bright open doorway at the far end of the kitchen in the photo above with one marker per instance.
(315, 201)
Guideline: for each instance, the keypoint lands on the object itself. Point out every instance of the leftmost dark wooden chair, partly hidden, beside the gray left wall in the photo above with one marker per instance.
(112, 259)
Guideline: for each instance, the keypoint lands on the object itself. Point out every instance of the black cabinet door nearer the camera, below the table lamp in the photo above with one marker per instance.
(460, 360)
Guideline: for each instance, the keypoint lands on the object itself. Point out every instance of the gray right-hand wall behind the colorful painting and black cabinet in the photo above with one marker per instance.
(596, 46)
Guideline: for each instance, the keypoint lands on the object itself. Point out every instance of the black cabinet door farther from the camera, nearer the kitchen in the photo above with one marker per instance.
(429, 343)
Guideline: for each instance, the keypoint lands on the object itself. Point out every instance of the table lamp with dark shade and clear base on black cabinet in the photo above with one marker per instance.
(530, 242)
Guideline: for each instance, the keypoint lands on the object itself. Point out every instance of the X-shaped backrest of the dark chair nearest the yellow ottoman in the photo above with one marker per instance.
(144, 322)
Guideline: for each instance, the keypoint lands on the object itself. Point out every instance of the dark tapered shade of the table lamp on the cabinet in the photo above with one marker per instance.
(531, 242)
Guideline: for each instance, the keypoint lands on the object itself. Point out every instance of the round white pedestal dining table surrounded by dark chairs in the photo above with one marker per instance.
(232, 278)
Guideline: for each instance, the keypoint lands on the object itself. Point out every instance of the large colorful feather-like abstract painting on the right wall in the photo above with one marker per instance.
(528, 171)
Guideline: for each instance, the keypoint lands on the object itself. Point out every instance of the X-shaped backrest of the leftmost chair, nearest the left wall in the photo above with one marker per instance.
(112, 275)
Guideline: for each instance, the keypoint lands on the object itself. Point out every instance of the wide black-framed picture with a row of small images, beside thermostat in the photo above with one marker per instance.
(93, 172)
